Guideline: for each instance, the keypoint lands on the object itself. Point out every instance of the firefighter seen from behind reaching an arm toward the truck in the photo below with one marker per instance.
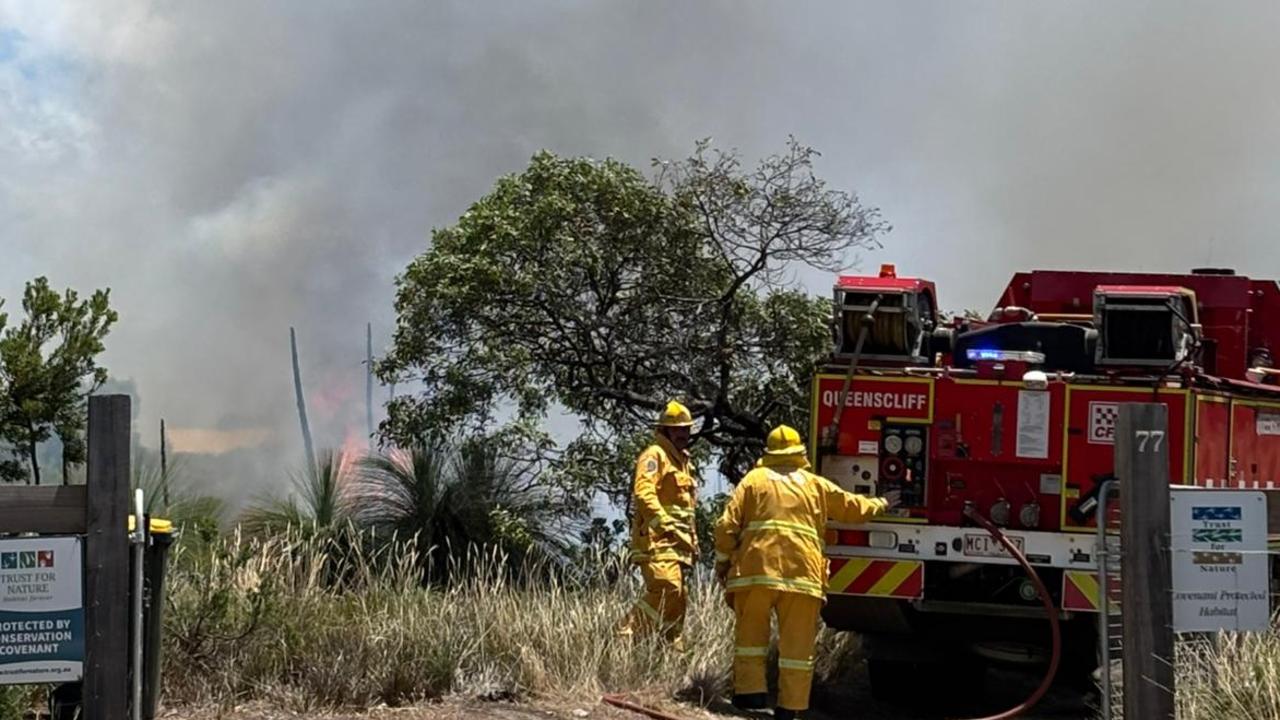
(770, 559)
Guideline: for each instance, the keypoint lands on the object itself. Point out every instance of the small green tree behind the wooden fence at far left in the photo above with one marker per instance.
(48, 370)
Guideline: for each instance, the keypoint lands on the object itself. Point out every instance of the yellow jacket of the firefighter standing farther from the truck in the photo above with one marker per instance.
(664, 500)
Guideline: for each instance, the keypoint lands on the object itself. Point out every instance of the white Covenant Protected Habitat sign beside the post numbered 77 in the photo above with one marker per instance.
(1220, 563)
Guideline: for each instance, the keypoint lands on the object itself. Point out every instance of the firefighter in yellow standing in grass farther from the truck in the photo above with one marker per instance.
(664, 540)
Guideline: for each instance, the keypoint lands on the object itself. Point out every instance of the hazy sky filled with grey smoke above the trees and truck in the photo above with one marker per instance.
(232, 170)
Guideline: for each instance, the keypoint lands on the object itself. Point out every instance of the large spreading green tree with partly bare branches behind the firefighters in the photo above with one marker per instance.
(587, 286)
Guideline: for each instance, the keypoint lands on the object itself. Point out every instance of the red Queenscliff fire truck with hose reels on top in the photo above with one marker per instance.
(1013, 417)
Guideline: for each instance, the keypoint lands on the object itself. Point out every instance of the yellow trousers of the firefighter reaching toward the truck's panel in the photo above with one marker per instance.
(798, 631)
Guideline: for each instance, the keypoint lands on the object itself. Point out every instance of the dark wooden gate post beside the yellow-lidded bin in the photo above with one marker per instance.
(107, 559)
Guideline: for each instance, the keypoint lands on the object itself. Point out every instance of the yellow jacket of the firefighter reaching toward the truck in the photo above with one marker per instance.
(772, 528)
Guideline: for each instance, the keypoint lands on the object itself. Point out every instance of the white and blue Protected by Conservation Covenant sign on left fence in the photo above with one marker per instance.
(42, 610)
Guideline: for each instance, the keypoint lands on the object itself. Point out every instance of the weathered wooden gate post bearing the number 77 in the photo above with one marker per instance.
(1142, 467)
